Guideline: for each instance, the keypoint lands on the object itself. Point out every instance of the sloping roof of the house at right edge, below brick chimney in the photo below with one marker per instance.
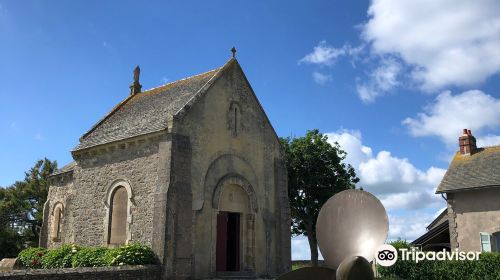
(481, 169)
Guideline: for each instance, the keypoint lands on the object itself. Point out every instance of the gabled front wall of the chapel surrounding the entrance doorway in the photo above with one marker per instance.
(250, 153)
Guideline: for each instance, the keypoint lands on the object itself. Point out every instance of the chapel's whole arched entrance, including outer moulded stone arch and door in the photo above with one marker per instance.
(235, 204)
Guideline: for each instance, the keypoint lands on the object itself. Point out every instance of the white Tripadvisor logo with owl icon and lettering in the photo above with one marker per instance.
(387, 255)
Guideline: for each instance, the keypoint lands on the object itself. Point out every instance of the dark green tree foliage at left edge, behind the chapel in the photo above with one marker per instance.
(21, 209)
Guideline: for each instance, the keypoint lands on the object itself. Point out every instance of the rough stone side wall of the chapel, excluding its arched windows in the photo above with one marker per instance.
(86, 216)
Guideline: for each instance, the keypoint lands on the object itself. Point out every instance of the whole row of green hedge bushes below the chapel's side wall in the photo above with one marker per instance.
(70, 255)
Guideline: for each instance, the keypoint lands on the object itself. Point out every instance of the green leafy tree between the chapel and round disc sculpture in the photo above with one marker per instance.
(316, 172)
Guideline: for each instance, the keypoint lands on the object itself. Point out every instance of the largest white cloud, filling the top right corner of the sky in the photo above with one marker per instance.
(447, 42)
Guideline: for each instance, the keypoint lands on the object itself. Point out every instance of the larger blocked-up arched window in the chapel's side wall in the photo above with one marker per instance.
(118, 213)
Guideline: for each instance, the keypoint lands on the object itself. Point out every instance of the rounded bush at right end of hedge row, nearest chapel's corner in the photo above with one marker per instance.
(130, 254)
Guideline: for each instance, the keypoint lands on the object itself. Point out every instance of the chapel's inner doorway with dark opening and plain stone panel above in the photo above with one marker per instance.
(232, 227)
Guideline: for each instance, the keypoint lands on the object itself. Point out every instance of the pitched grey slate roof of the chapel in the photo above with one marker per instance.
(145, 112)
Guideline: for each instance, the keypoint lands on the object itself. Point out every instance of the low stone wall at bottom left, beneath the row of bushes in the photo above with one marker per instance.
(139, 272)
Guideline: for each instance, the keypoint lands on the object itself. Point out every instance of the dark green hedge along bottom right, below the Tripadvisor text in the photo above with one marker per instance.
(486, 268)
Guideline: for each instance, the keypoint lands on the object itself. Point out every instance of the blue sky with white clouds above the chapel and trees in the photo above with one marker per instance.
(393, 82)
